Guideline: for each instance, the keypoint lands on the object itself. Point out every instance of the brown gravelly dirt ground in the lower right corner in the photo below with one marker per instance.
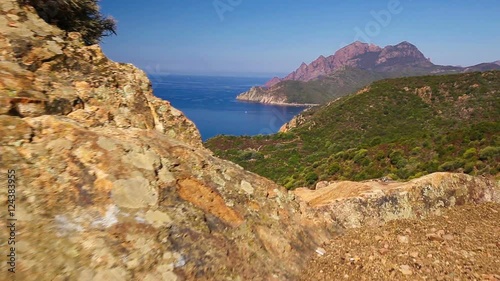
(461, 244)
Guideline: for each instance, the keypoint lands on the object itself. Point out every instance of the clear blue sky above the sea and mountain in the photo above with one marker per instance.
(273, 37)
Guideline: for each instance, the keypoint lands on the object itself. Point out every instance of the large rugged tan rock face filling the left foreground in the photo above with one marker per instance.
(112, 183)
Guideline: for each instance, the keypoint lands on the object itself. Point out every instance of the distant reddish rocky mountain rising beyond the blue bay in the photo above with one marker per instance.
(339, 74)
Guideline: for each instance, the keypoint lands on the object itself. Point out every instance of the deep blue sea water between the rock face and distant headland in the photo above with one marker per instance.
(210, 102)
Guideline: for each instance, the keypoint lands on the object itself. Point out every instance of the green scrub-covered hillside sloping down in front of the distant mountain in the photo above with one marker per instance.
(400, 128)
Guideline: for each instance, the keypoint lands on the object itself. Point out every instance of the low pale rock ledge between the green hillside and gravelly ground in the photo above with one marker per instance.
(353, 204)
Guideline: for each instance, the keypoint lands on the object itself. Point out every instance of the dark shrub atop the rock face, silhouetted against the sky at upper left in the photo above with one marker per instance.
(82, 16)
